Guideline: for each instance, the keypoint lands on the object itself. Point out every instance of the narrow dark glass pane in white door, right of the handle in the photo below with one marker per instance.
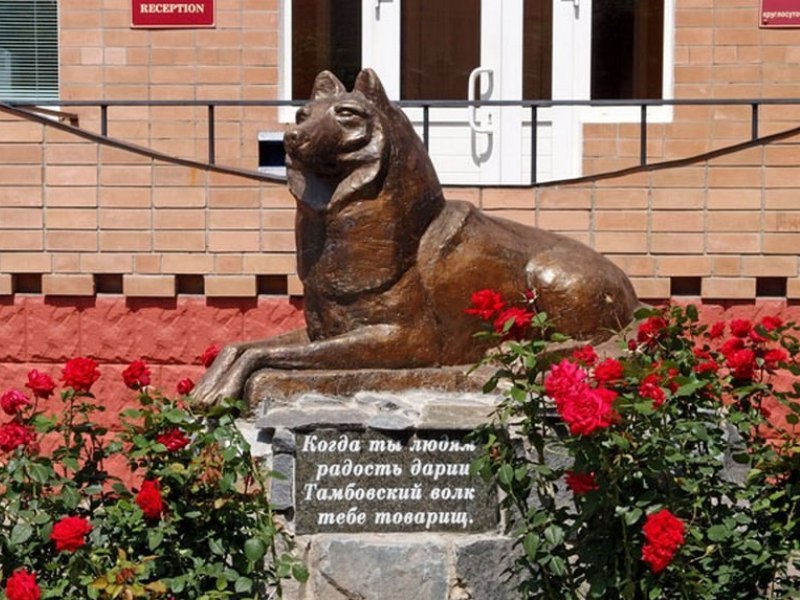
(537, 47)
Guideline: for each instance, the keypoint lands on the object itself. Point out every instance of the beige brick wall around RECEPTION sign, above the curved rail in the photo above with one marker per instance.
(102, 58)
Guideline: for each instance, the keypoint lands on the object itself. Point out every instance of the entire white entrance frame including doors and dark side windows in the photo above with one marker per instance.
(506, 50)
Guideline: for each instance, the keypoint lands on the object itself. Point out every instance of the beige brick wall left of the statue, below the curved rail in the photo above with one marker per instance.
(148, 224)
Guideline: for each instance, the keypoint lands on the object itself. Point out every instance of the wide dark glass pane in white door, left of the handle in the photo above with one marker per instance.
(439, 47)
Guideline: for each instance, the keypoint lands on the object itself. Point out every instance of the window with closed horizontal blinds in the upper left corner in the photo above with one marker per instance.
(28, 50)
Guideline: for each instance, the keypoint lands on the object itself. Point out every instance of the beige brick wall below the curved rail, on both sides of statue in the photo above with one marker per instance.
(725, 227)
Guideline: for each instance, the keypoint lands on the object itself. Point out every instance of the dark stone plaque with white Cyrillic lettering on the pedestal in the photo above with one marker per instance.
(369, 481)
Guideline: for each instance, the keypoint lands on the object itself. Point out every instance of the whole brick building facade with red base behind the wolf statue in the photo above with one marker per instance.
(111, 251)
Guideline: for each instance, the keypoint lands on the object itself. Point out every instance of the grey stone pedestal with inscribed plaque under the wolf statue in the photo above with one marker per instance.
(377, 490)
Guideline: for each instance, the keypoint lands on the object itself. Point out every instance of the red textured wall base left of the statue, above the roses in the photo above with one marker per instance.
(43, 333)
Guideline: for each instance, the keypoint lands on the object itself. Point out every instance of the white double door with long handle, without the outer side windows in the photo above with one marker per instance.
(478, 49)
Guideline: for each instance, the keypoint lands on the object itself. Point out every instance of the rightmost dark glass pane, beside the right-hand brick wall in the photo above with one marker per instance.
(627, 48)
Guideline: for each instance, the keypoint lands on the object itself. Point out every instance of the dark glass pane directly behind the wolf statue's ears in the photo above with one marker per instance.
(326, 34)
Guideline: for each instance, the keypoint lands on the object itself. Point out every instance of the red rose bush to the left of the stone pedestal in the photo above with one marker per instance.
(183, 513)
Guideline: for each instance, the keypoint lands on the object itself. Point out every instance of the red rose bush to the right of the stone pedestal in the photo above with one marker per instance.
(652, 473)
